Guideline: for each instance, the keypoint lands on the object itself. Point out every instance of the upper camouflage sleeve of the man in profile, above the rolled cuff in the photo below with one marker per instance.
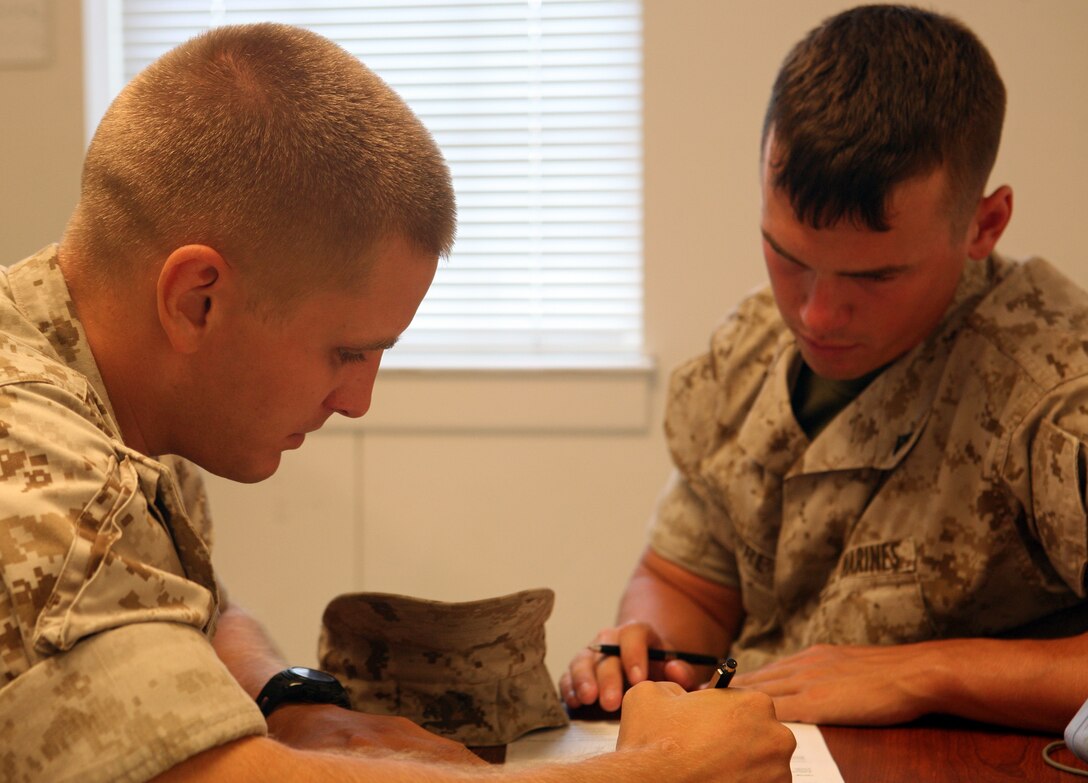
(83, 549)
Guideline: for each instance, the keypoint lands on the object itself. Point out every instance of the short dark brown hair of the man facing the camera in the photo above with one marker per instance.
(875, 96)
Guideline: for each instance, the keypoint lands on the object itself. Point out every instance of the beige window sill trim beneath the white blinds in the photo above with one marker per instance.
(614, 401)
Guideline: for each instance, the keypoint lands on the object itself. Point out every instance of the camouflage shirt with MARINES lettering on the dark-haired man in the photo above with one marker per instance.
(948, 500)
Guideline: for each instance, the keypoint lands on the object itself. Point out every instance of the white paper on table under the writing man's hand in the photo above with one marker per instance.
(812, 762)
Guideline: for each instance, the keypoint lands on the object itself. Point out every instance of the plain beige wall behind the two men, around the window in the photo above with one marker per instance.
(463, 487)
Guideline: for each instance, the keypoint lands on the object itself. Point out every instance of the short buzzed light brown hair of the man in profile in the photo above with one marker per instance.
(270, 144)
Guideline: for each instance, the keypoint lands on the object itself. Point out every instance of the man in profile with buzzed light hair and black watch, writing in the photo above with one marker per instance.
(259, 219)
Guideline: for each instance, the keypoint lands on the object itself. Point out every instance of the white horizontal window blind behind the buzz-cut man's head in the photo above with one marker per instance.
(537, 106)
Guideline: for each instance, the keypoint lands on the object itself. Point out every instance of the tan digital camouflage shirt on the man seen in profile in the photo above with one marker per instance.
(108, 599)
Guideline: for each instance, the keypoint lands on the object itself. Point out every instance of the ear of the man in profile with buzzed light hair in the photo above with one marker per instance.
(191, 294)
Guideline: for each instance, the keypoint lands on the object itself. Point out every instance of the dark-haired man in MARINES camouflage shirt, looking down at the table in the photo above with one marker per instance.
(879, 505)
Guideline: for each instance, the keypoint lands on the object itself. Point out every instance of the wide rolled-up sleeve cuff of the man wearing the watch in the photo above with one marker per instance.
(126, 705)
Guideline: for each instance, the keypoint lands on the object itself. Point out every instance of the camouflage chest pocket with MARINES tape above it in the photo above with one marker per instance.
(875, 596)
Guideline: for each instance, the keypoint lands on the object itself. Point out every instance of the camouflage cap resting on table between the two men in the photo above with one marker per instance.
(474, 672)
